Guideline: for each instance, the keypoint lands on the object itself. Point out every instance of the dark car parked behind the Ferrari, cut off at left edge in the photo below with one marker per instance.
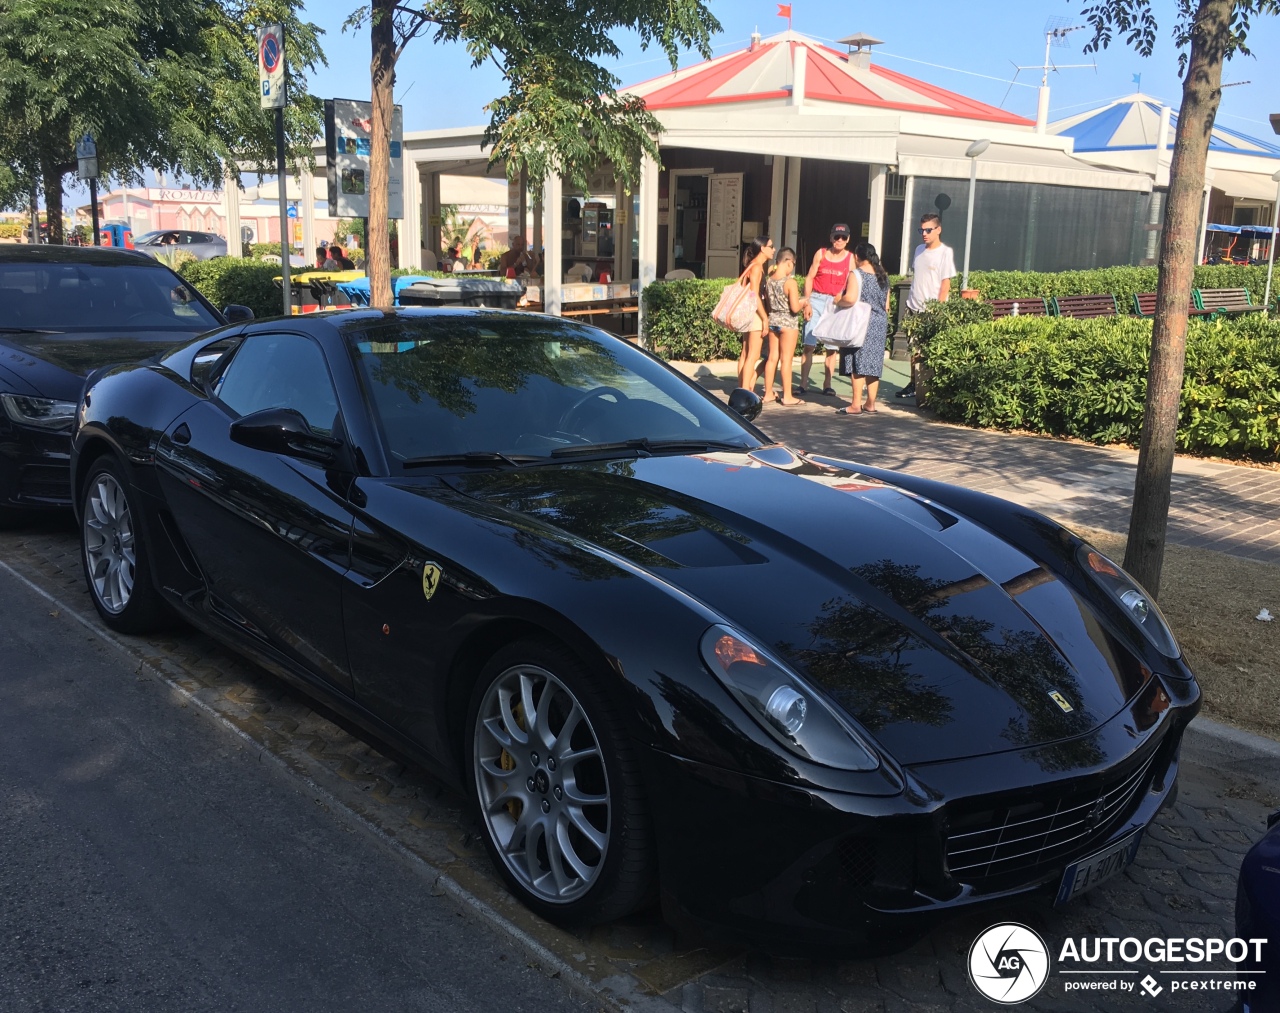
(66, 312)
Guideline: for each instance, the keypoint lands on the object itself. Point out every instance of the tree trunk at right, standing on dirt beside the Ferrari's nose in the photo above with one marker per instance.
(1145, 555)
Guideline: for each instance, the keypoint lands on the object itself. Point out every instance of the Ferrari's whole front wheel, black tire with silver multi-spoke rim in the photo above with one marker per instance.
(556, 787)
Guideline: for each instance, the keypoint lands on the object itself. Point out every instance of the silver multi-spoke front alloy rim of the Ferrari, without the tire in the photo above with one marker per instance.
(543, 788)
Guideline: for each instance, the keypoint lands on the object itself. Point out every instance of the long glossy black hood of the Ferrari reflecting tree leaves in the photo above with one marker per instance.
(940, 638)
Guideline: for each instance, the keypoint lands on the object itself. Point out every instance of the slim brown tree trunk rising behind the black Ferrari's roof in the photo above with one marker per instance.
(383, 80)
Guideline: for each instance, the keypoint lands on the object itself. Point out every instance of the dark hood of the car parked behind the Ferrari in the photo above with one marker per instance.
(56, 366)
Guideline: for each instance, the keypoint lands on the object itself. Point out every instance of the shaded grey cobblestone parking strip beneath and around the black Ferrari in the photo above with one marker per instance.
(1182, 884)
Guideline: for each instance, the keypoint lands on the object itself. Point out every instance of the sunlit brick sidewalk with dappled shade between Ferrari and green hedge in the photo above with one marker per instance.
(1224, 508)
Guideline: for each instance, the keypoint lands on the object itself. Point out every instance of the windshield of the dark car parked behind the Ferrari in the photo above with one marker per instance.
(81, 296)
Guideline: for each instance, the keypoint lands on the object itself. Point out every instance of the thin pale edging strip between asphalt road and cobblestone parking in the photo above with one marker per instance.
(624, 994)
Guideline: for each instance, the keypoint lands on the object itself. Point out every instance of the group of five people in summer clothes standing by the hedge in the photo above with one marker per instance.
(839, 277)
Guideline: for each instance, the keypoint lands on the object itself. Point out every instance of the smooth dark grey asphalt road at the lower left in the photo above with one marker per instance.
(153, 861)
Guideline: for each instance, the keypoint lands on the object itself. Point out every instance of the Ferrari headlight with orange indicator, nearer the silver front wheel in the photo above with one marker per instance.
(783, 705)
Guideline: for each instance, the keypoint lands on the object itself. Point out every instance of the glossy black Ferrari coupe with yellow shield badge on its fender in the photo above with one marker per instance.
(653, 646)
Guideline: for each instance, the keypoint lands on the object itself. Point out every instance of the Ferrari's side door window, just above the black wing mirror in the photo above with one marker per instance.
(280, 372)
